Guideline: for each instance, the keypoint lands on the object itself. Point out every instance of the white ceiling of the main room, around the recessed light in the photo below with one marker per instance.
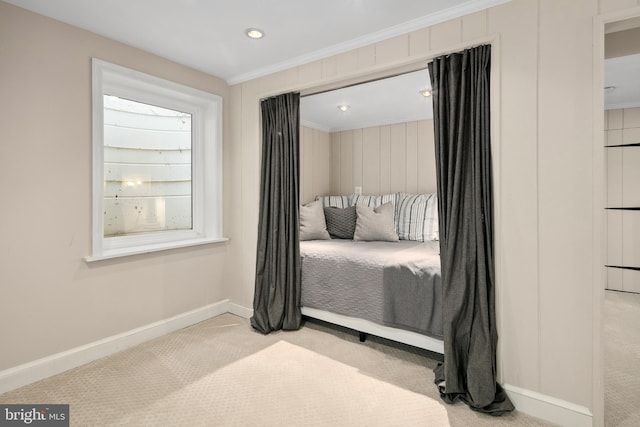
(209, 35)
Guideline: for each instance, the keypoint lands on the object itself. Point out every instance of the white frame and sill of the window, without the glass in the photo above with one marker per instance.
(206, 160)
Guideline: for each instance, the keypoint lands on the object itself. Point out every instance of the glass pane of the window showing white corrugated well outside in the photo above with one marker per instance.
(147, 168)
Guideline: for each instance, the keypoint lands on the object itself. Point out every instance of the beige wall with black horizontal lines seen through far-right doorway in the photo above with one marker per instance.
(622, 127)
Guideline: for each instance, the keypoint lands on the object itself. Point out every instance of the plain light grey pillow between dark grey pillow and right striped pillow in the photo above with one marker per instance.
(375, 224)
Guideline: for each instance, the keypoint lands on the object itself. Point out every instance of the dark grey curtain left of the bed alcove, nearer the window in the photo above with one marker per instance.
(276, 302)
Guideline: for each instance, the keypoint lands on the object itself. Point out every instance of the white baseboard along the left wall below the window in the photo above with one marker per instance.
(28, 373)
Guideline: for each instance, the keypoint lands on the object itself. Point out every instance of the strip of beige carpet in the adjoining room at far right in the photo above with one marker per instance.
(622, 359)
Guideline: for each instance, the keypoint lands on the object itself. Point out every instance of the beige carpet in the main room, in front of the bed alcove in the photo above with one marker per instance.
(221, 373)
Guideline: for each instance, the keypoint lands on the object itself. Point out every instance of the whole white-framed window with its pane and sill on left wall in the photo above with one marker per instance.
(157, 164)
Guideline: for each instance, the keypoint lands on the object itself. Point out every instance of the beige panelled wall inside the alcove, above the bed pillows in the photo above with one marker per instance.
(380, 159)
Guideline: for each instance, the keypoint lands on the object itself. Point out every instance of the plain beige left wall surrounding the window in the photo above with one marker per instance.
(53, 301)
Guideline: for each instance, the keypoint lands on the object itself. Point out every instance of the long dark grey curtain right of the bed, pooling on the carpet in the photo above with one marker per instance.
(460, 84)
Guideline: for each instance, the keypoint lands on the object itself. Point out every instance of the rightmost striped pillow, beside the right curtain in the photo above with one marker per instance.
(417, 217)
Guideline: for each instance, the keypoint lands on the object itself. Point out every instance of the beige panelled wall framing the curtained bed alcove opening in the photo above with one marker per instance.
(548, 179)
